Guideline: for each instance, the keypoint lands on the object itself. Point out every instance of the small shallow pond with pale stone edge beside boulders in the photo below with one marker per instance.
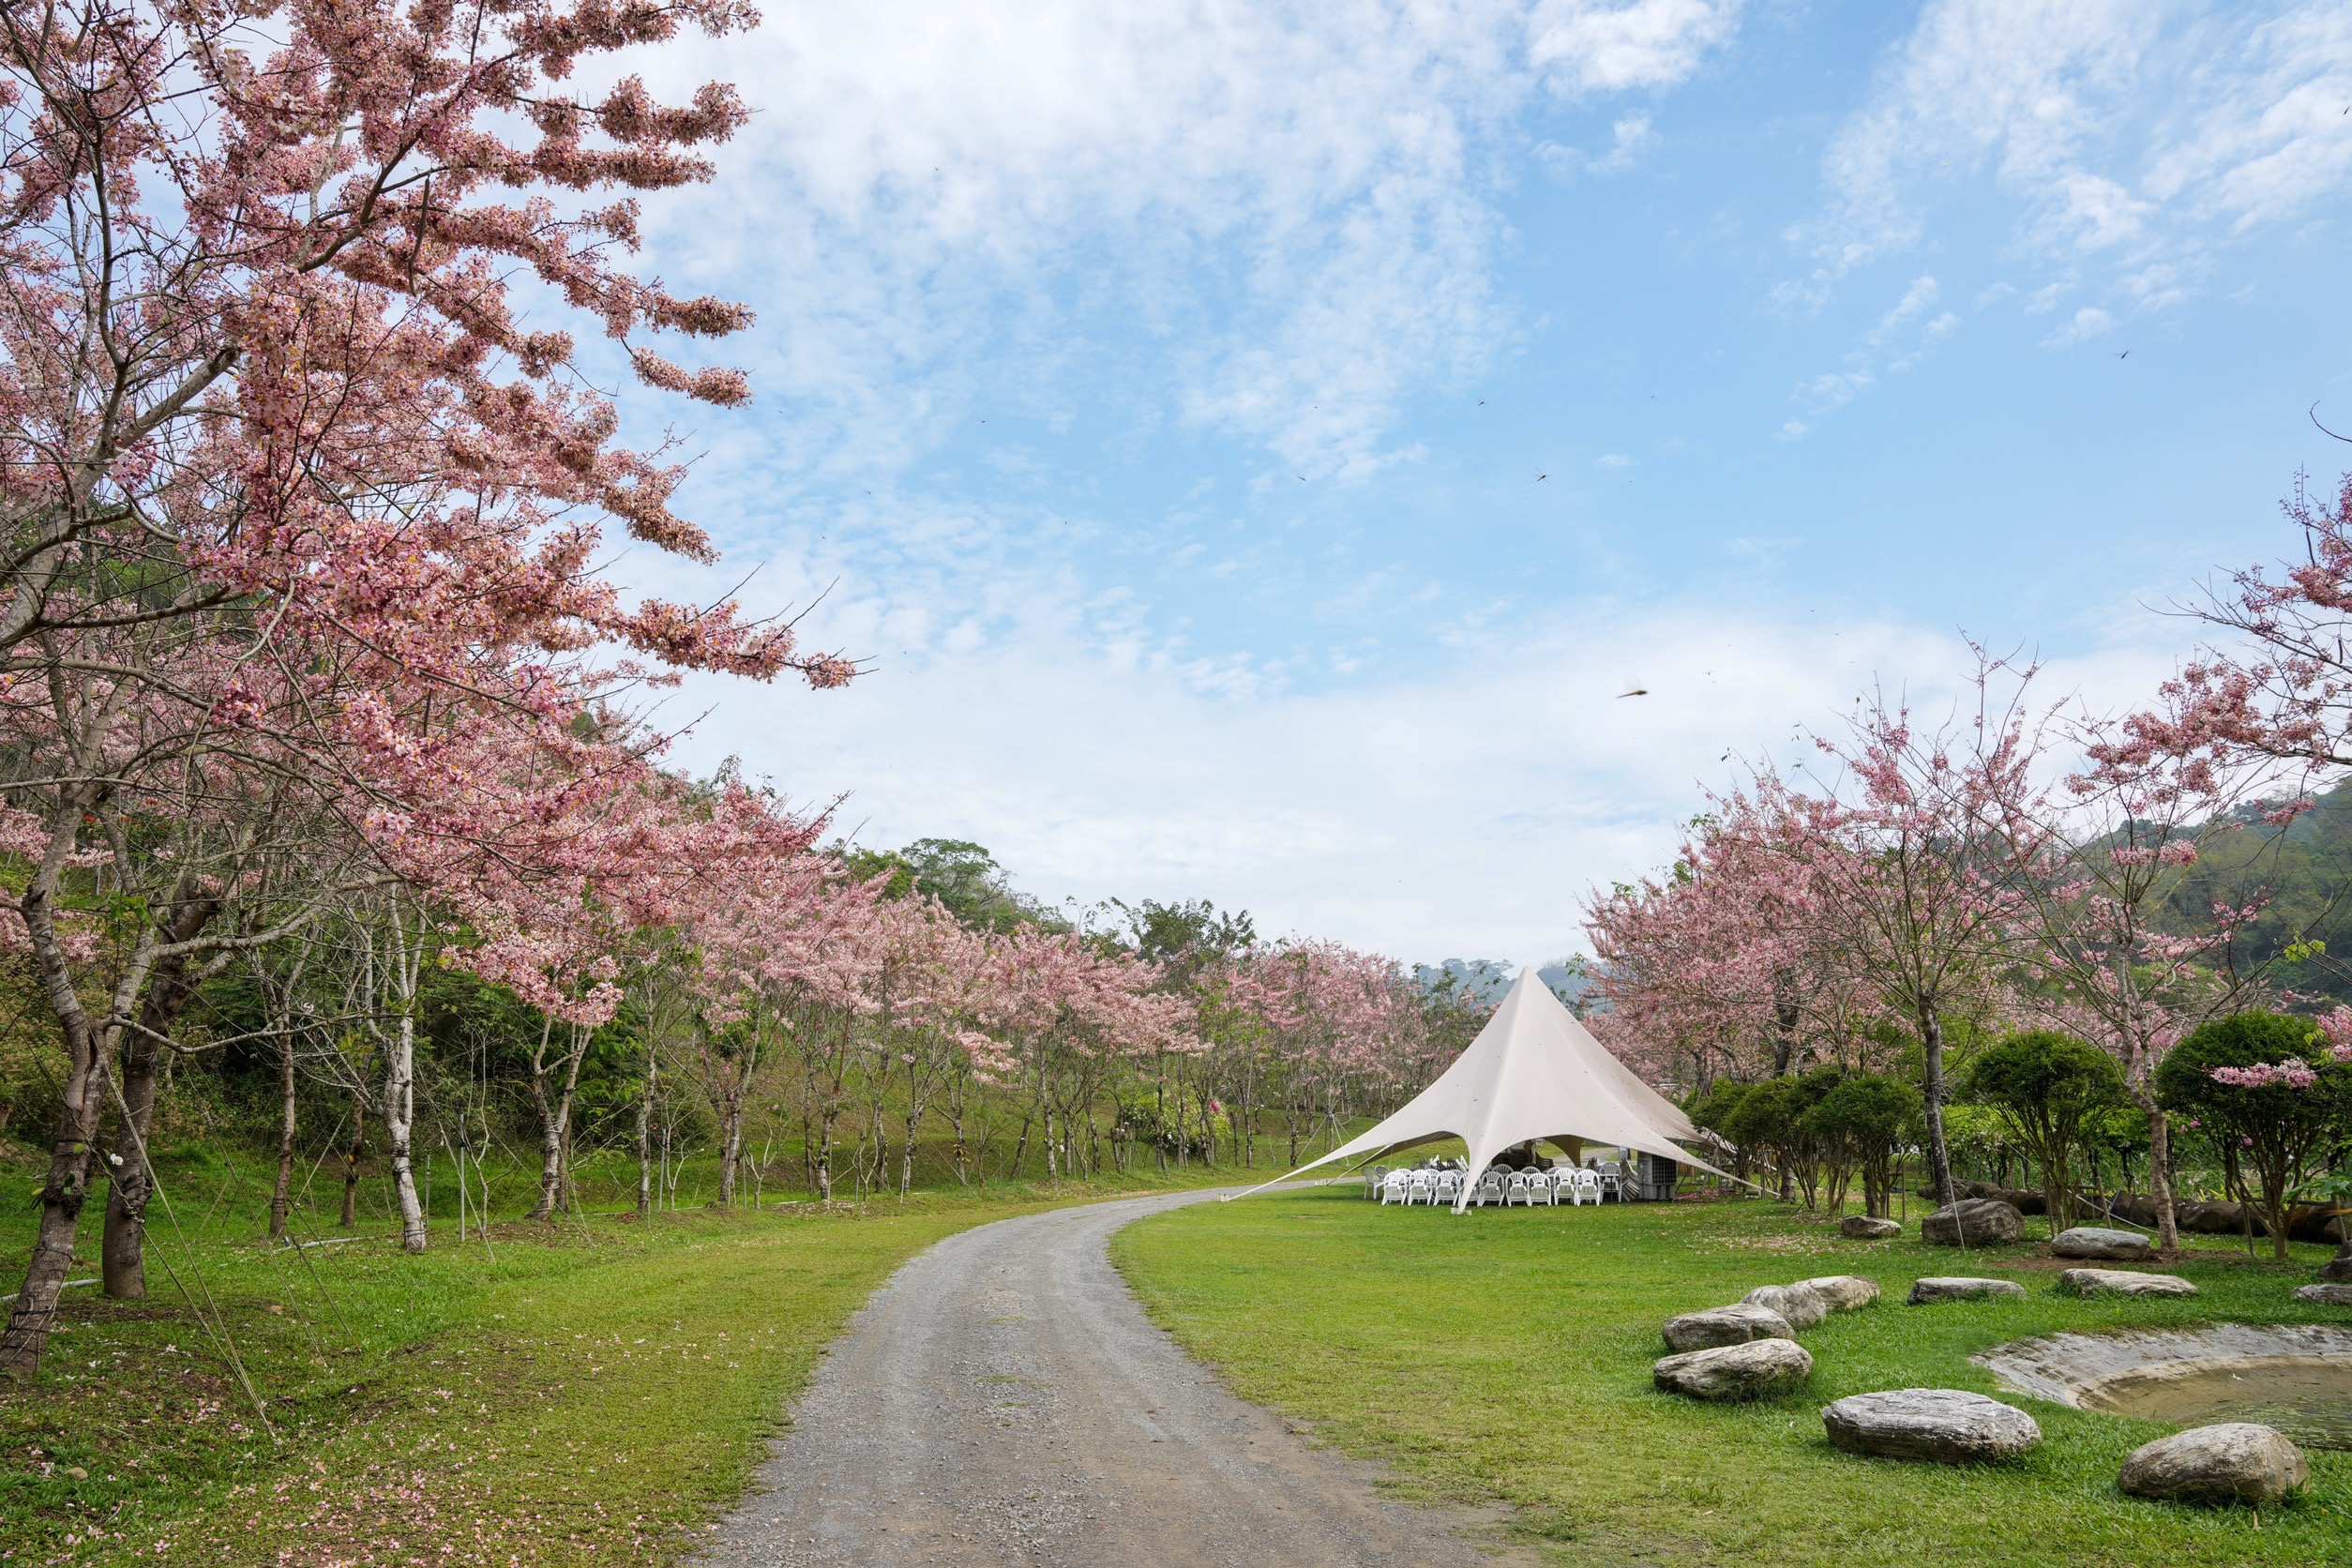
(2290, 1376)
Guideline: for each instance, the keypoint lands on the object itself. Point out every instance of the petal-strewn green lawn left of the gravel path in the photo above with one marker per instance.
(580, 1393)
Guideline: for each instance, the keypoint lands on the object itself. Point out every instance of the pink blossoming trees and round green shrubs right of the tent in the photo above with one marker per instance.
(2022, 873)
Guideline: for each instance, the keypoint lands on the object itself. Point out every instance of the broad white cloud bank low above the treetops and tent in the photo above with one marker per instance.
(1455, 812)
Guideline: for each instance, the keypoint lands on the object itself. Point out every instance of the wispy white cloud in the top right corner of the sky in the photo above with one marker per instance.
(2132, 133)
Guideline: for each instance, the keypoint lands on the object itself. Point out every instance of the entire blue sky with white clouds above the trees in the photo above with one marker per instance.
(1252, 445)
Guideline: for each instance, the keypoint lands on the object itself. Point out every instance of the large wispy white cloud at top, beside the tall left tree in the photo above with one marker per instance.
(1278, 222)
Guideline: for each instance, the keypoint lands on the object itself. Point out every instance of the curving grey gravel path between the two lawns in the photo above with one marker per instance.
(1003, 1400)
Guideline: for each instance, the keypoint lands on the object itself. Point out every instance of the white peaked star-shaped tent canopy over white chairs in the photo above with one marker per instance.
(1532, 1073)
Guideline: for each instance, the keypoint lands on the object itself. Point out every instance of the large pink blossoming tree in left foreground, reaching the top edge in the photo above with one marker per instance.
(283, 467)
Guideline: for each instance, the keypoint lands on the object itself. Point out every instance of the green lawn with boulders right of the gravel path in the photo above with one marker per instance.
(1506, 1355)
